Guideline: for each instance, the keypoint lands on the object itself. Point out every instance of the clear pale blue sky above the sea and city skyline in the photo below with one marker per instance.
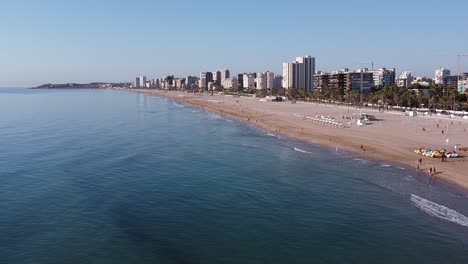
(59, 41)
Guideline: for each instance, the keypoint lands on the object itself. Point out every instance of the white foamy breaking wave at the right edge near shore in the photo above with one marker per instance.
(439, 211)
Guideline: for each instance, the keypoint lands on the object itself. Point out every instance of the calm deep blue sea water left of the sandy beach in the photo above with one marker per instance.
(104, 176)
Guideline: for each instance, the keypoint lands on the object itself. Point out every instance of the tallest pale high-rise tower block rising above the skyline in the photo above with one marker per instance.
(299, 74)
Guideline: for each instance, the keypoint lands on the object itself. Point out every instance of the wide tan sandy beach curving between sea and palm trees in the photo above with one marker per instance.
(393, 137)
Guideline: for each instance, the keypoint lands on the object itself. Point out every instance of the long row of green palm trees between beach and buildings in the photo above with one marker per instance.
(432, 97)
